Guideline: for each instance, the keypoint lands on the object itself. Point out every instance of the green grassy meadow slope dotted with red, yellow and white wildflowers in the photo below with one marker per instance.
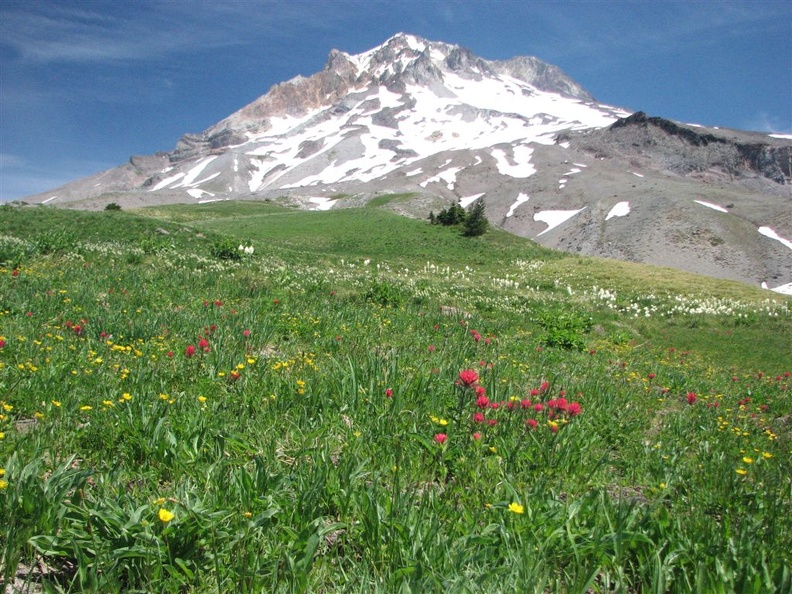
(367, 403)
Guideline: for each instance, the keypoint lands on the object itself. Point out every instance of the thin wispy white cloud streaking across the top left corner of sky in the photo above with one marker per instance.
(85, 33)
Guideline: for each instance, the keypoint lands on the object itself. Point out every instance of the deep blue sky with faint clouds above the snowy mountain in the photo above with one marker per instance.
(85, 84)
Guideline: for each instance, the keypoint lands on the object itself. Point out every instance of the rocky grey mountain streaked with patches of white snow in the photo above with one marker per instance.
(434, 119)
